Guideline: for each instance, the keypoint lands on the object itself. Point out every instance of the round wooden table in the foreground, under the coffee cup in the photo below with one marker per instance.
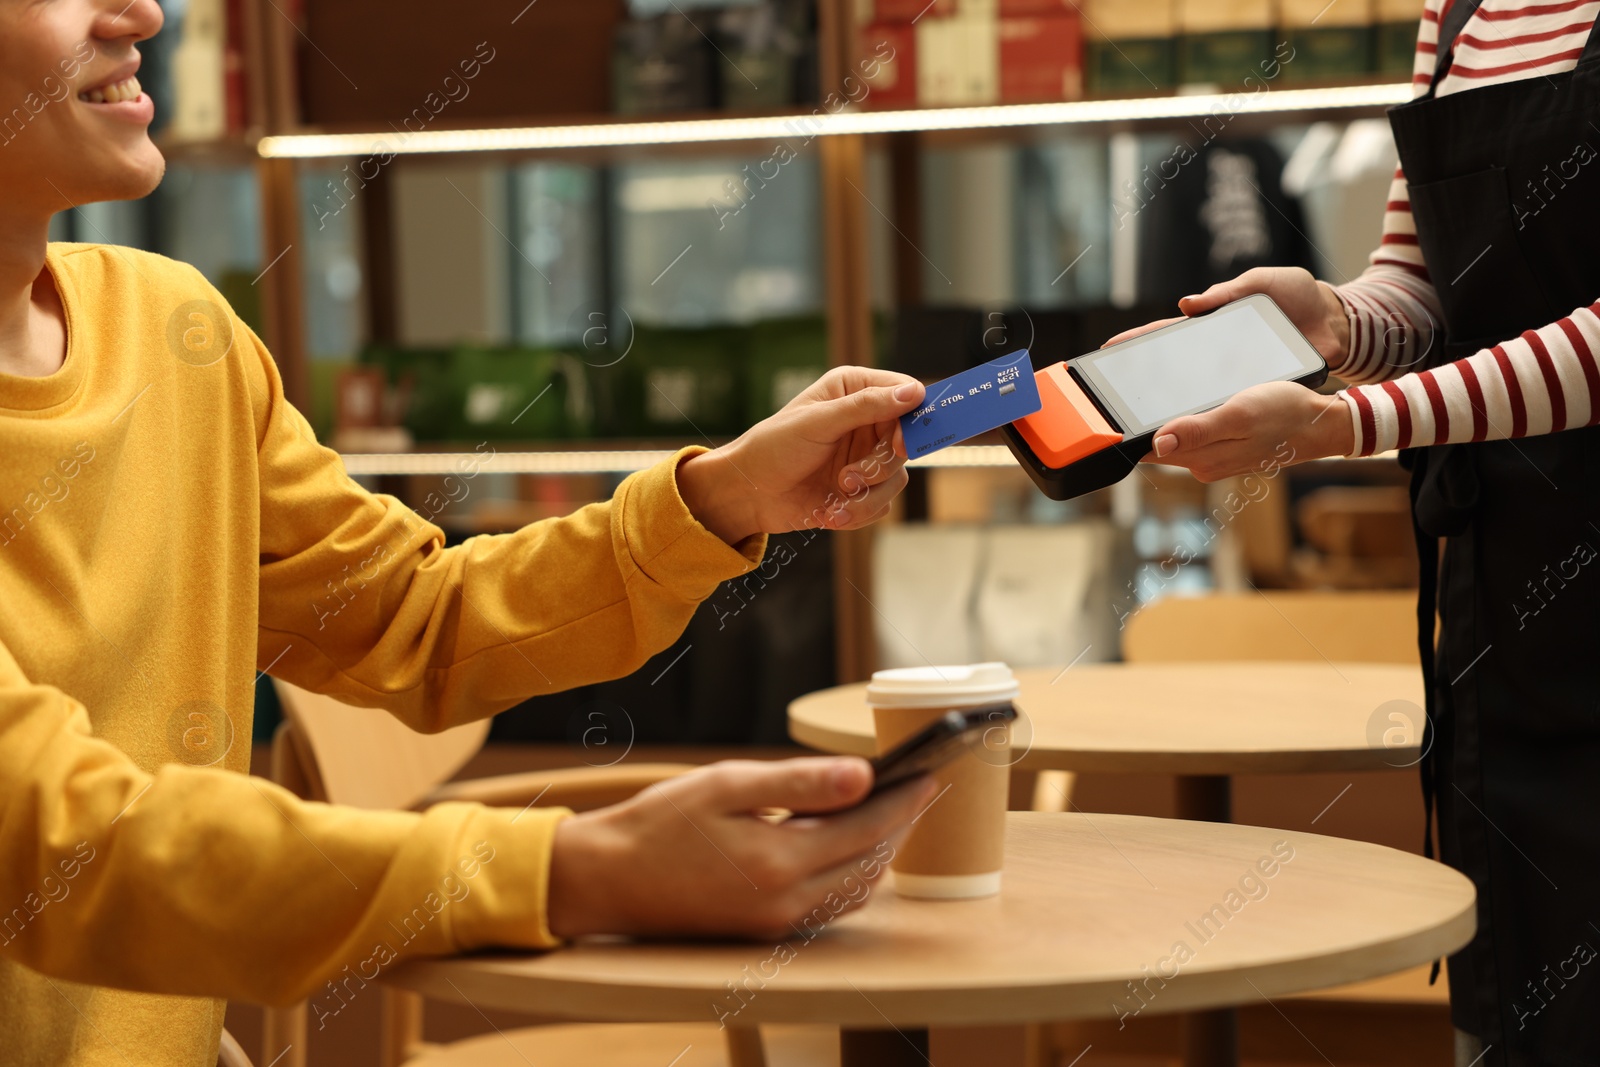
(1089, 925)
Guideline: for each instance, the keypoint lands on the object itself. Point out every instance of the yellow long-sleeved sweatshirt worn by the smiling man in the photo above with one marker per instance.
(169, 527)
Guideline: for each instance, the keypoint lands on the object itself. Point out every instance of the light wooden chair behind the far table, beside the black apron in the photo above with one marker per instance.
(1294, 626)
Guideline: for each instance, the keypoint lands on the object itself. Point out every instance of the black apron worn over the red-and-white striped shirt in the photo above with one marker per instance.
(1505, 188)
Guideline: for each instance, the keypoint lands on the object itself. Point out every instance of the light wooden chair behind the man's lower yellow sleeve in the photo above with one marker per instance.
(367, 759)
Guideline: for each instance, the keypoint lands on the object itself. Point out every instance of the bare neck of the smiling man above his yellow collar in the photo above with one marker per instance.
(30, 342)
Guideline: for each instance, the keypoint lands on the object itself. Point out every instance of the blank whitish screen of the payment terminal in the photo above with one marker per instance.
(1198, 367)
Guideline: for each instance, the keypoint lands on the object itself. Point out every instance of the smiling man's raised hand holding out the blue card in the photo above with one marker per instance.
(833, 458)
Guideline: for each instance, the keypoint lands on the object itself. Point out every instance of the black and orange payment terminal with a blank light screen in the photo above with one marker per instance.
(1100, 412)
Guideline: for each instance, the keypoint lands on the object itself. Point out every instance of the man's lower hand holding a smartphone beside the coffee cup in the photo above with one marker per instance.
(695, 857)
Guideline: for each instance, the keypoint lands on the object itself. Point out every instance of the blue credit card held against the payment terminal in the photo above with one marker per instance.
(972, 404)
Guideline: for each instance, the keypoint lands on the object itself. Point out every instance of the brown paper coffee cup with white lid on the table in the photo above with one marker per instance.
(958, 845)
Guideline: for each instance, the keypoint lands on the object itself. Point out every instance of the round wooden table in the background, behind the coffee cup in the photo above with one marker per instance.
(1199, 722)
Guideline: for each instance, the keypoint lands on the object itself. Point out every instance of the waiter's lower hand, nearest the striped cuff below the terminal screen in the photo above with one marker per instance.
(1260, 430)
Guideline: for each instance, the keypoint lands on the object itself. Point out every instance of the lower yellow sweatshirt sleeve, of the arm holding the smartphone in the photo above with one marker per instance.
(207, 882)
